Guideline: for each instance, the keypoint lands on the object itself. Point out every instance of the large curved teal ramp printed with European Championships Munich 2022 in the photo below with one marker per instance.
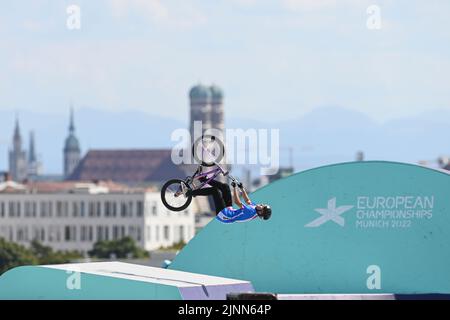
(362, 227)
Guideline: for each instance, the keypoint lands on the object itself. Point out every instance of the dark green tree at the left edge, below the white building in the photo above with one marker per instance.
(14, 255)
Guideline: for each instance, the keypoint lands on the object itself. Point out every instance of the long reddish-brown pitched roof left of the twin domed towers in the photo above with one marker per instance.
(129, 166)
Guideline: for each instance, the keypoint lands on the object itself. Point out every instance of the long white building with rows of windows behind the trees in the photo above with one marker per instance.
(74, 215)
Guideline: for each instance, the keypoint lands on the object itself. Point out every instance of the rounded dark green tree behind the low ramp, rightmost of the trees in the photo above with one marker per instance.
(122, 248)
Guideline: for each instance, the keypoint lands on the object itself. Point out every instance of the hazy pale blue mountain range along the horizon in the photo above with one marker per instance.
(324, 135)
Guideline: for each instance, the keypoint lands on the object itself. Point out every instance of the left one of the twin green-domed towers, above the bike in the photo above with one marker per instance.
(200, 100)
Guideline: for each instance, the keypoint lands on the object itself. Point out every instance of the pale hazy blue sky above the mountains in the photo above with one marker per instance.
(274, 59)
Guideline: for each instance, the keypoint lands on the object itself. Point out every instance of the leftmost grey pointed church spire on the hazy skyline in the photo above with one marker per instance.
(17, 157)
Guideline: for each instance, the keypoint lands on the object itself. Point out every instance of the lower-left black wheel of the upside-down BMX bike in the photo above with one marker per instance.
(175, 196)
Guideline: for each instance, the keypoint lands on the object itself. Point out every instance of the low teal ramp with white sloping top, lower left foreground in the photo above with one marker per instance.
(113, 280)
